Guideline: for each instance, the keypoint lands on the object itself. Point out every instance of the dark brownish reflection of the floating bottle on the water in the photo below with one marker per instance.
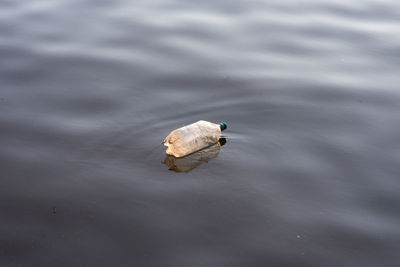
(194, 160)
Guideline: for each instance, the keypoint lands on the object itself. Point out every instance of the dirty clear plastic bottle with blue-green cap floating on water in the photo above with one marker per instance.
(193, 137)
